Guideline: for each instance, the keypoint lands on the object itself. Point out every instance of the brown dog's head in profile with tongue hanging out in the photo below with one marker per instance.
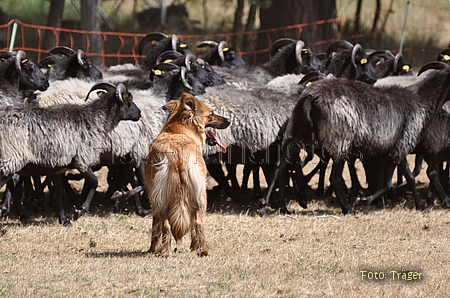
(190, 110)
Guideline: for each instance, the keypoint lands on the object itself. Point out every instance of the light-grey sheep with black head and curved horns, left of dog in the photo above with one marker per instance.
(39, 141)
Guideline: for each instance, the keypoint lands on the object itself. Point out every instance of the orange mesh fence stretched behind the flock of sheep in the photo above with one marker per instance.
(253, 46)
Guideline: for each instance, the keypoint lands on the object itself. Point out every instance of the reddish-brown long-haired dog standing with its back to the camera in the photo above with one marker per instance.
(176, 174)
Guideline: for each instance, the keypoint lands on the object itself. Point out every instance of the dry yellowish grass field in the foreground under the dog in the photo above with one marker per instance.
(314, 252)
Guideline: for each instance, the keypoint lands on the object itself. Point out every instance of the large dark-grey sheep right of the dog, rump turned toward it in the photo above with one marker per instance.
(349, 117)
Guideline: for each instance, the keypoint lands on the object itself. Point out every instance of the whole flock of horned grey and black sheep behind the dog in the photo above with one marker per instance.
(344, 105)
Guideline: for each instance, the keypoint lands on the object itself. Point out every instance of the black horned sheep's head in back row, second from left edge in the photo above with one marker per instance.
(63, 62)
